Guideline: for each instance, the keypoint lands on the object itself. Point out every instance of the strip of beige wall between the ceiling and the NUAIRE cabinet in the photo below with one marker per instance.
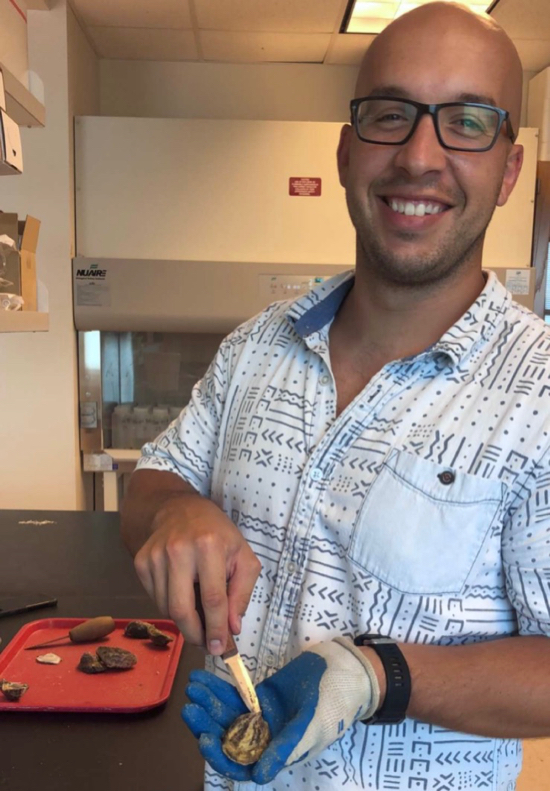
(270, 91)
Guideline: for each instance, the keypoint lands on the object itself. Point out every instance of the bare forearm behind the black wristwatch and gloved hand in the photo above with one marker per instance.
(499, 688)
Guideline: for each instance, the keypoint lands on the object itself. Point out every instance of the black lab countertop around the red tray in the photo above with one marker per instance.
(81, 560)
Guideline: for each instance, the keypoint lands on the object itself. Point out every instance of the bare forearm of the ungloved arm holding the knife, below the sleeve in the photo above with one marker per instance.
(149, 491)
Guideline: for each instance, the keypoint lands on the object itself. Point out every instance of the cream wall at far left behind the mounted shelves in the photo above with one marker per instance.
(39, 458)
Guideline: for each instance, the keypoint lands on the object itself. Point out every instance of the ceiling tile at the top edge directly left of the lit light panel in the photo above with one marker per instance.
(275, 16)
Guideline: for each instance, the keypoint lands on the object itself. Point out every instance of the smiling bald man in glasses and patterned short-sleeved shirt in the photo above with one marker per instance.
(374, 458)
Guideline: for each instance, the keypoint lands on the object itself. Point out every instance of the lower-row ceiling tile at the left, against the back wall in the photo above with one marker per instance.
(125, 43)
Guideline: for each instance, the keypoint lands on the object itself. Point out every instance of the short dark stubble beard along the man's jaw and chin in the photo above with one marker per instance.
(445, 260)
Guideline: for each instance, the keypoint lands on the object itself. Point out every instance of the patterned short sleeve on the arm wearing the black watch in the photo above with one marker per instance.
(526, 553)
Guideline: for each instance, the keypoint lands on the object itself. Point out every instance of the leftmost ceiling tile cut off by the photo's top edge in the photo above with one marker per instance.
(167, 14)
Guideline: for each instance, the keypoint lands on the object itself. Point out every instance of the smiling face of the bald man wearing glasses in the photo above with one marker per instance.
(458, 190)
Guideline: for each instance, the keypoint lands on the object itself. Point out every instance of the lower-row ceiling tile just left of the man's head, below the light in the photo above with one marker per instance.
(264, 47)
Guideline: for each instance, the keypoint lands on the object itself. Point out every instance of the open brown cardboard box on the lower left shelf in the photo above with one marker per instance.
(20, 270)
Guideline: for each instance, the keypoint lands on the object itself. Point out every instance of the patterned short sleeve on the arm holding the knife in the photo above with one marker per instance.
(188, 446)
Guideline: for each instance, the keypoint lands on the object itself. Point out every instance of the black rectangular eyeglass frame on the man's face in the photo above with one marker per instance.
(432, 109)
